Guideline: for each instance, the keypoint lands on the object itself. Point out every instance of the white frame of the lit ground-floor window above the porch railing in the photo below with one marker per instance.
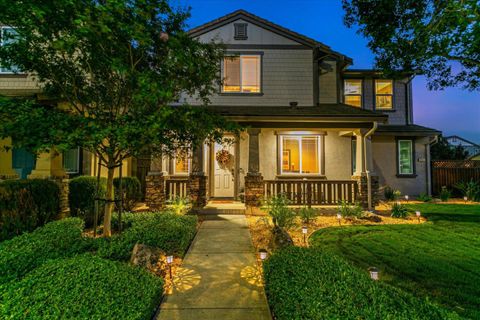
(320, 146)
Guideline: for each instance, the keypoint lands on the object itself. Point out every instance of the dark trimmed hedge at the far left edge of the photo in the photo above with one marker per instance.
(26, 205)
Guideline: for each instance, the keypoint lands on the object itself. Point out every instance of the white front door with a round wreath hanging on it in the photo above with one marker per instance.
(224, 169)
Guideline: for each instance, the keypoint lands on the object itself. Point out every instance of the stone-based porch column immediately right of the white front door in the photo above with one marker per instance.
(254, 188)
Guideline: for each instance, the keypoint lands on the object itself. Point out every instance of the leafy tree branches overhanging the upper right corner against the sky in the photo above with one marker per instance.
(440, 39)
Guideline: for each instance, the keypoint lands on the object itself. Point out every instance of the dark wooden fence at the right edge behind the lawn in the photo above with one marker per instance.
(450, 172)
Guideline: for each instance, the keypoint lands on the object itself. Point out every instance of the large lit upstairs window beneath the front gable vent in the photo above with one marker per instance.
(241, 74)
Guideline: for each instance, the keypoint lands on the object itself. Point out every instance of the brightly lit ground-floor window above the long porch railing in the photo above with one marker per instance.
(300, 154)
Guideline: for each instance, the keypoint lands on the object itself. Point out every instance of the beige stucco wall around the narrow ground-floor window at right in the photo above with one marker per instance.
(385, 166)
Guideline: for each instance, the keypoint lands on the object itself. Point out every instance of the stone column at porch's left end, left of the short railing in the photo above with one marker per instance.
(156, 184)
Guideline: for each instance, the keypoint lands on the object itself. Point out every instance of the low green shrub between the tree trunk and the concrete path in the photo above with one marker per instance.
(168, 231)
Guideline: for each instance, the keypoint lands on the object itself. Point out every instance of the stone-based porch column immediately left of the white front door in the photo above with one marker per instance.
(197, 181)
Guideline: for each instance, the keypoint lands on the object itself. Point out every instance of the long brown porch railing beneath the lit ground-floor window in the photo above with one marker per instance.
(313, 192)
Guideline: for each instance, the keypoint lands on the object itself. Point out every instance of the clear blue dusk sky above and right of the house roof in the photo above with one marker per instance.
(453, 111)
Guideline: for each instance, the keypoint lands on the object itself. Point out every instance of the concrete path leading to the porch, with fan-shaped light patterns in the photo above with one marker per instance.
(219, 278)
